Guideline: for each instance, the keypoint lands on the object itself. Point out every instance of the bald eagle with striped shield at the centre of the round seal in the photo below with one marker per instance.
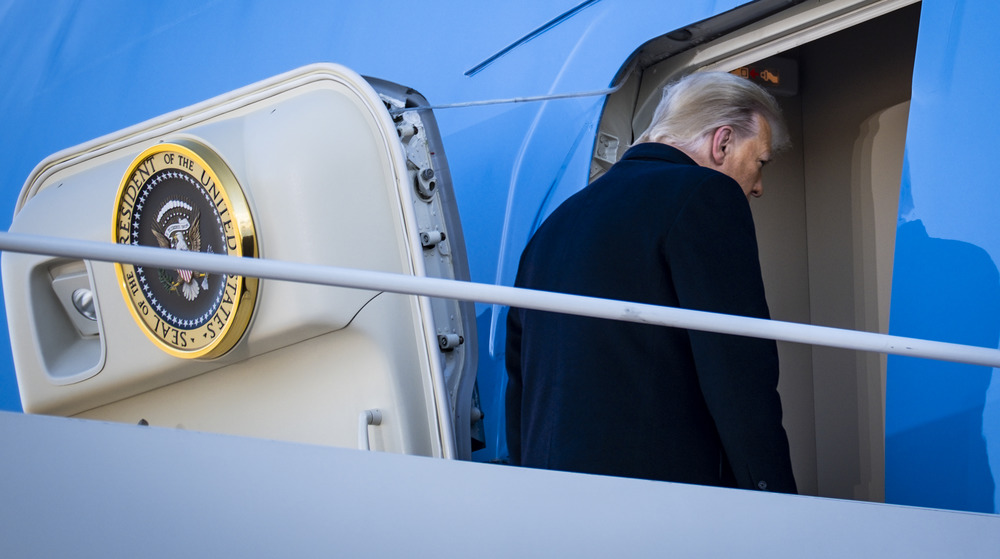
(177, 227)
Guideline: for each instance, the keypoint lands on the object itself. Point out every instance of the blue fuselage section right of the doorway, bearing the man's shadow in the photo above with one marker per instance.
(943, 419)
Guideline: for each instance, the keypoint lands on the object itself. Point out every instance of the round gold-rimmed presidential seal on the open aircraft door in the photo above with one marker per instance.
(182, 196)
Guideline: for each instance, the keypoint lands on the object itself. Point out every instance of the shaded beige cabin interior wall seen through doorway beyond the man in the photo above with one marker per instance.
(846, 78)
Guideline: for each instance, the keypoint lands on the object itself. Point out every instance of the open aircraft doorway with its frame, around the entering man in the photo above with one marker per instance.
(826, 225)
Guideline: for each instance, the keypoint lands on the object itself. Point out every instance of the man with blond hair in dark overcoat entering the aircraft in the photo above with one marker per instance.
(669, 224)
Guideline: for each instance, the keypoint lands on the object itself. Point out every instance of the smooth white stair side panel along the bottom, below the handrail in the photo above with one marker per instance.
(88, 489)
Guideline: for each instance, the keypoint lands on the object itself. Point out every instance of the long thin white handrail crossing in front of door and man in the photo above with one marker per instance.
(501, 295)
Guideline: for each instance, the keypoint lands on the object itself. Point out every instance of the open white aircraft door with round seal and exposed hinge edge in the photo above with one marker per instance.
(318, 166)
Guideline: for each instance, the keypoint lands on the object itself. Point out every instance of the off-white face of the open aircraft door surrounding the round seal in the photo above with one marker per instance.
(318, 158)
